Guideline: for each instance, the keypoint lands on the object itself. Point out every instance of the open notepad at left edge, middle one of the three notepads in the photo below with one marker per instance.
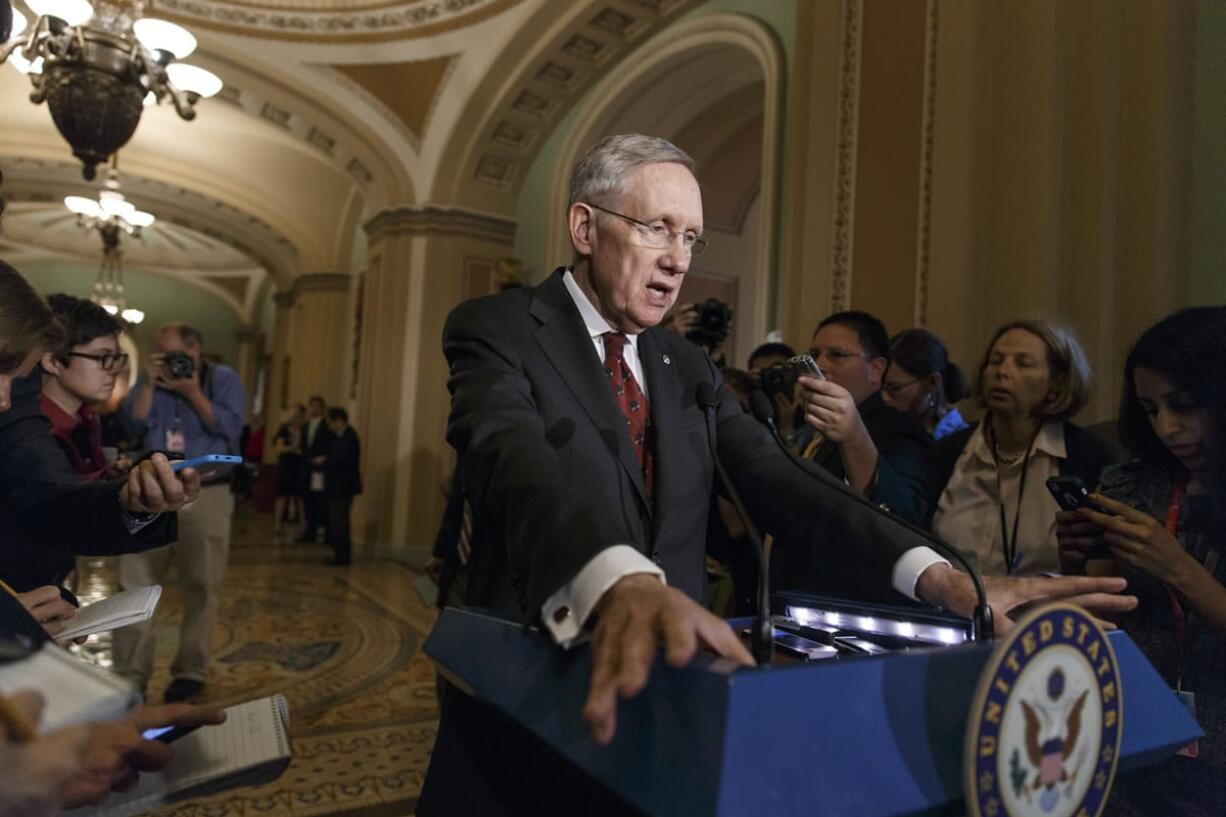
(74, 690)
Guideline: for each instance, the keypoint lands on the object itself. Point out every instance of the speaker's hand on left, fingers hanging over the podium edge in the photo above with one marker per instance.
(634, 618)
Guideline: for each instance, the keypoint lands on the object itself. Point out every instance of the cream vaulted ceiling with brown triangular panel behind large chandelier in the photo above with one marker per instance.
(338, 110)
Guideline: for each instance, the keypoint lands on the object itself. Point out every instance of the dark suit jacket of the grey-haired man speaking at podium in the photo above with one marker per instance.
(552, 479)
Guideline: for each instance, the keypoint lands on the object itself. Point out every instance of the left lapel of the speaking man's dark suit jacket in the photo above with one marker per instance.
(563, 339)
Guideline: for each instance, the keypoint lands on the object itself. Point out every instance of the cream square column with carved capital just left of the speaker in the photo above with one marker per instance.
(421, 263)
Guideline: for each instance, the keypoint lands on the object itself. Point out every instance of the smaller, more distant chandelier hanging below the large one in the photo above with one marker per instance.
(112, 217)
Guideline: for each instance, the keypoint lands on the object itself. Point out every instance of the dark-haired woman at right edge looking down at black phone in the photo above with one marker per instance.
(1164, 531)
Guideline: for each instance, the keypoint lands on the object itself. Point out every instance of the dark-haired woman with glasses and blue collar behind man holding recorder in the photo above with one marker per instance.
(924, 382)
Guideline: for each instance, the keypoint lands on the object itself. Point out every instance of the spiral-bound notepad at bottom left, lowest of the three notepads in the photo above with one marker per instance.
(251, 749)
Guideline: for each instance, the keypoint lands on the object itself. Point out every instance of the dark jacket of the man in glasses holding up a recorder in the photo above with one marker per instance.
(903, 447)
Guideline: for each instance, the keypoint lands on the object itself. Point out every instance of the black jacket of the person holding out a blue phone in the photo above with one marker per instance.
(48, 513)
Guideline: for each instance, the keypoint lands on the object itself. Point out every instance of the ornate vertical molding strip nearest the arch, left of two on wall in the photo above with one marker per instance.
(845, 156)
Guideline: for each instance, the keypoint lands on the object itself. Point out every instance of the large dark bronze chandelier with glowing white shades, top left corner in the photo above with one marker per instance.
(97, 66)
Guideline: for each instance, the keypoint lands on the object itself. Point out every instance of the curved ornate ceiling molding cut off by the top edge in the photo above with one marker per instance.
(335, 23)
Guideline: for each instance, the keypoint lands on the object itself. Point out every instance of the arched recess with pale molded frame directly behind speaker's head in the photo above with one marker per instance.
(733, 132)
